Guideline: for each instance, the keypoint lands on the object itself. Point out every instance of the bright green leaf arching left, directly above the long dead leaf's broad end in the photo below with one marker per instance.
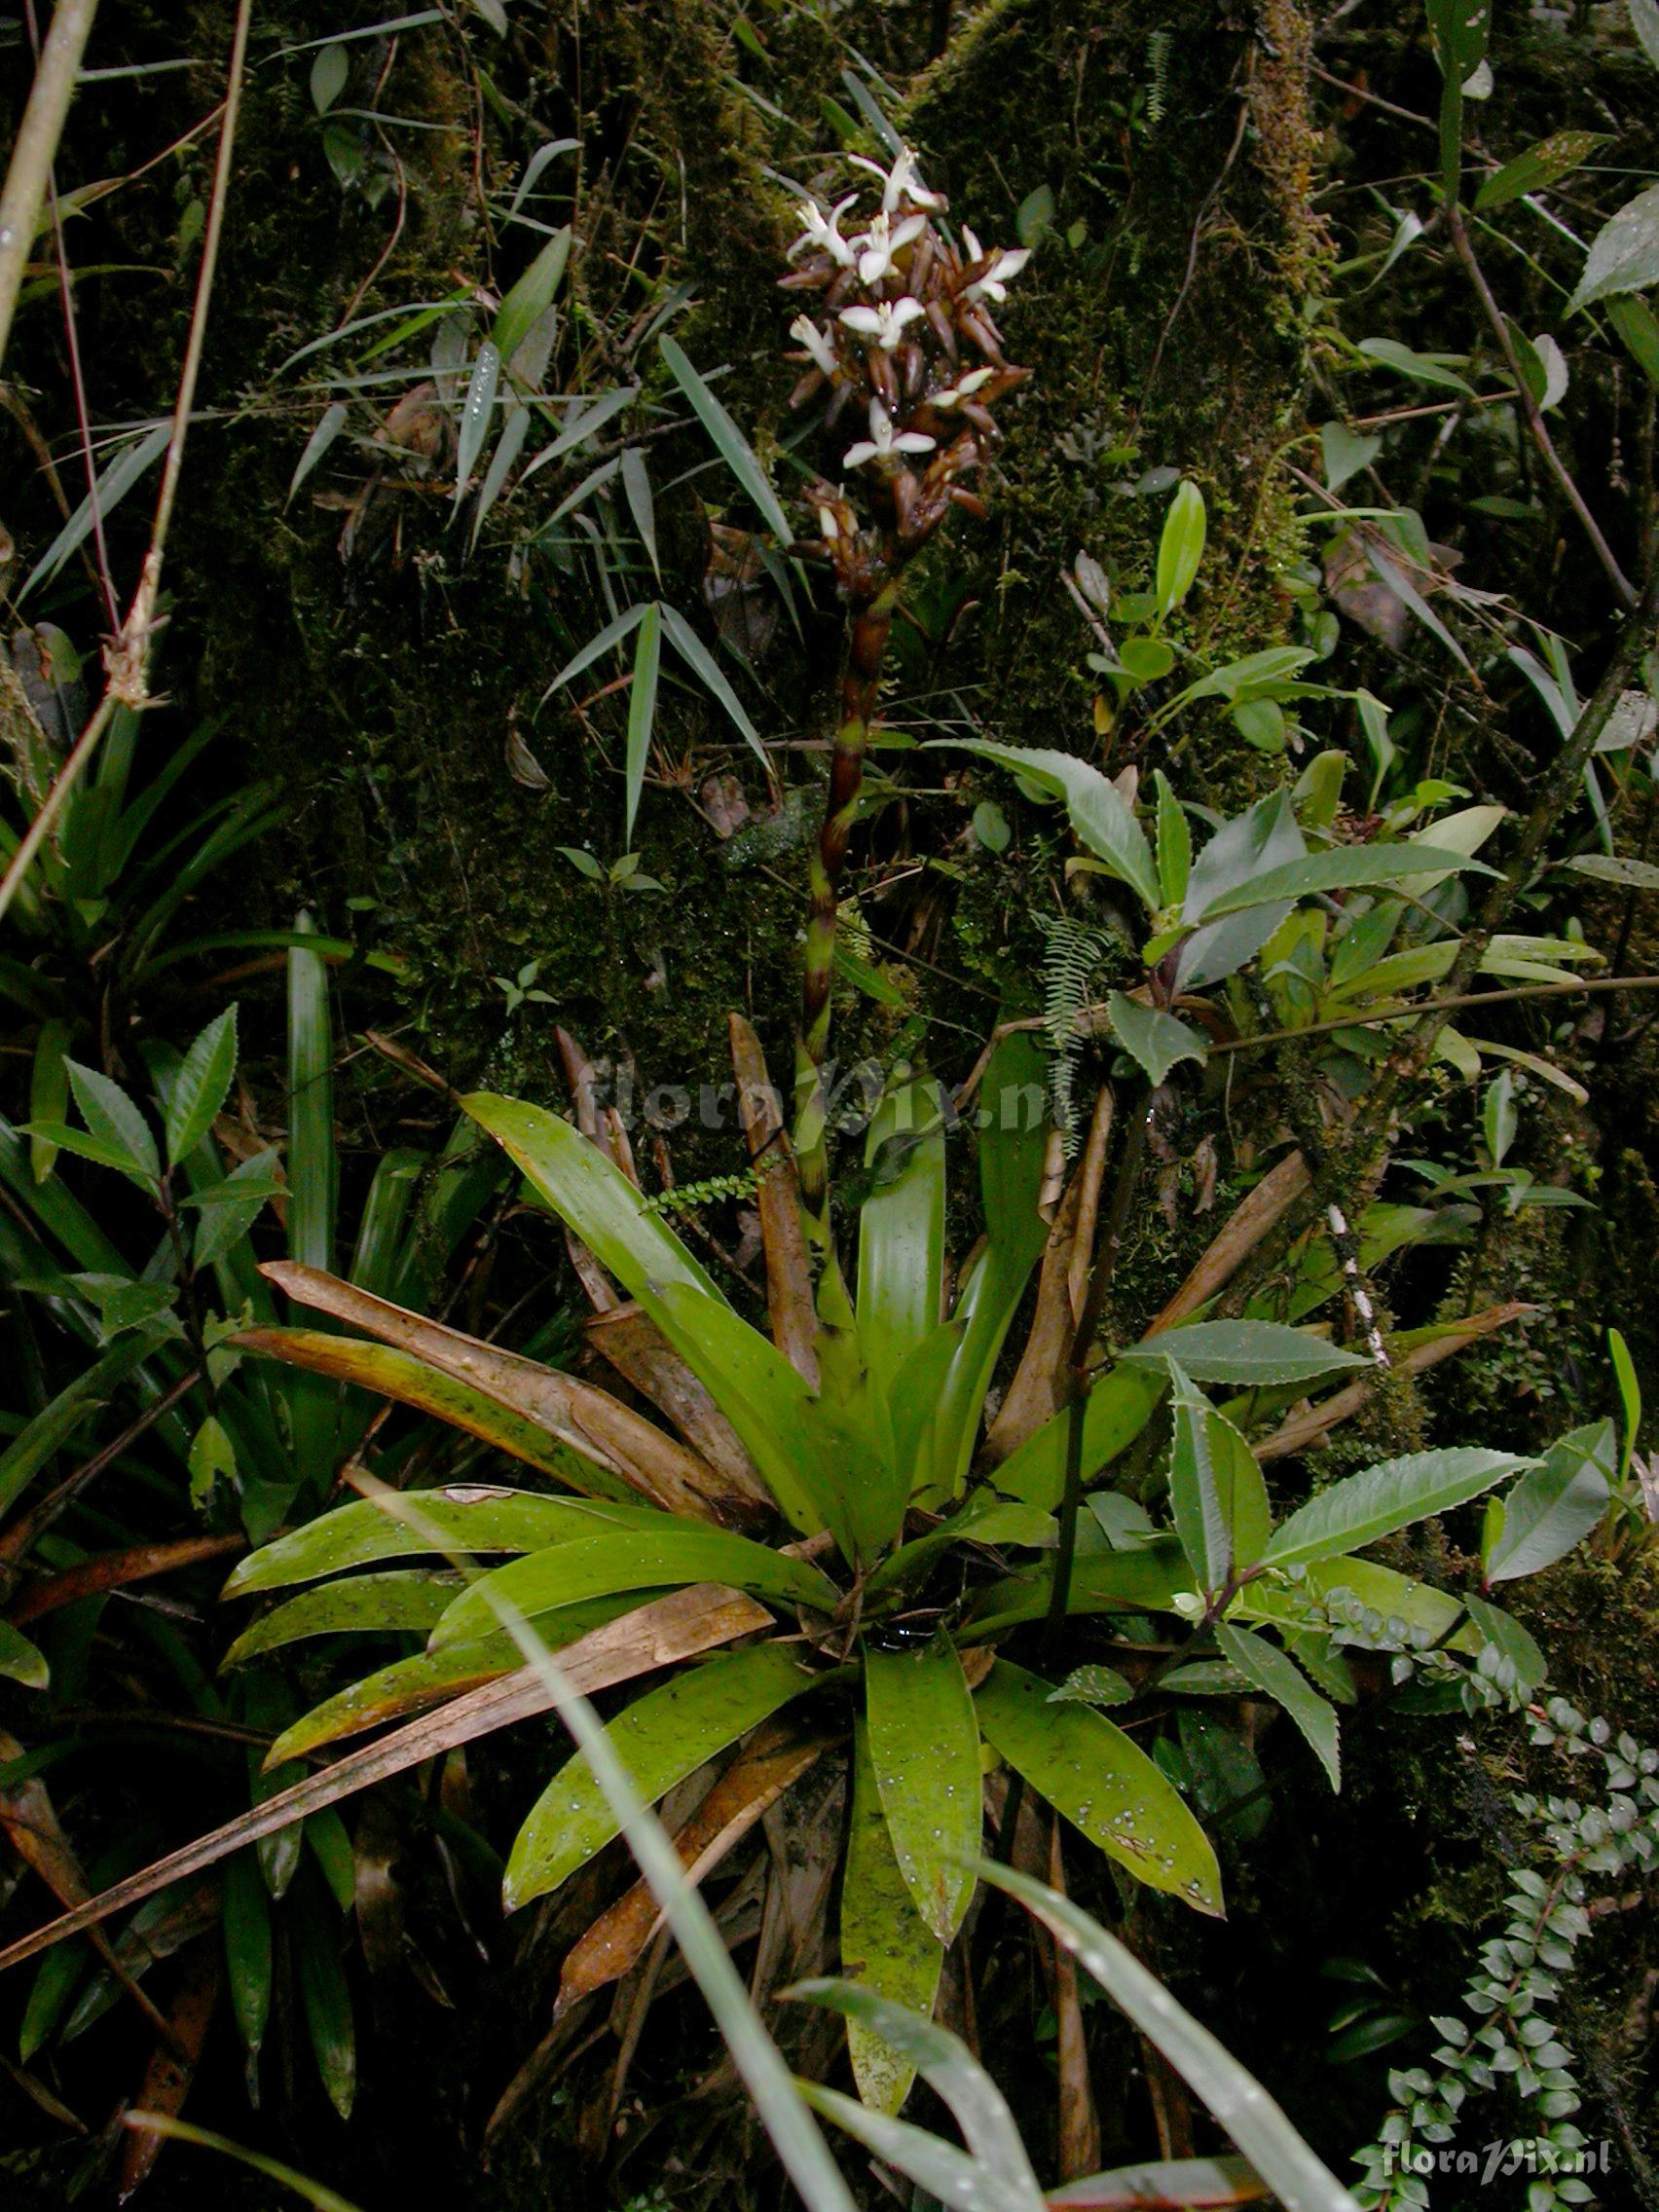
(669, 1554)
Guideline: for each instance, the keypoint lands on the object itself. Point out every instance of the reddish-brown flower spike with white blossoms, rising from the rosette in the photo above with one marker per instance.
(912, 346)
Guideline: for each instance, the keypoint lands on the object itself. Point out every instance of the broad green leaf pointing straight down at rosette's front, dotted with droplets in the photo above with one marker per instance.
(926, 1755)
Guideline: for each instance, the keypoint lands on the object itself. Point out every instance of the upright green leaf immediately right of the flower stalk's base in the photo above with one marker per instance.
(901, 1227)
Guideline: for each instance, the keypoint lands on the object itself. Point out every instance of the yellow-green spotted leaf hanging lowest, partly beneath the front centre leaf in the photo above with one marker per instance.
(886, 1945)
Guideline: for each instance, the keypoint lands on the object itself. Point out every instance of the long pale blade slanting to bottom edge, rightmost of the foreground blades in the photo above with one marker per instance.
(1238, 2100)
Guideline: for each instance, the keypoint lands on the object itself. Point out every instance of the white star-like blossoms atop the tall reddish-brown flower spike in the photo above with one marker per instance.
(870, 258)
